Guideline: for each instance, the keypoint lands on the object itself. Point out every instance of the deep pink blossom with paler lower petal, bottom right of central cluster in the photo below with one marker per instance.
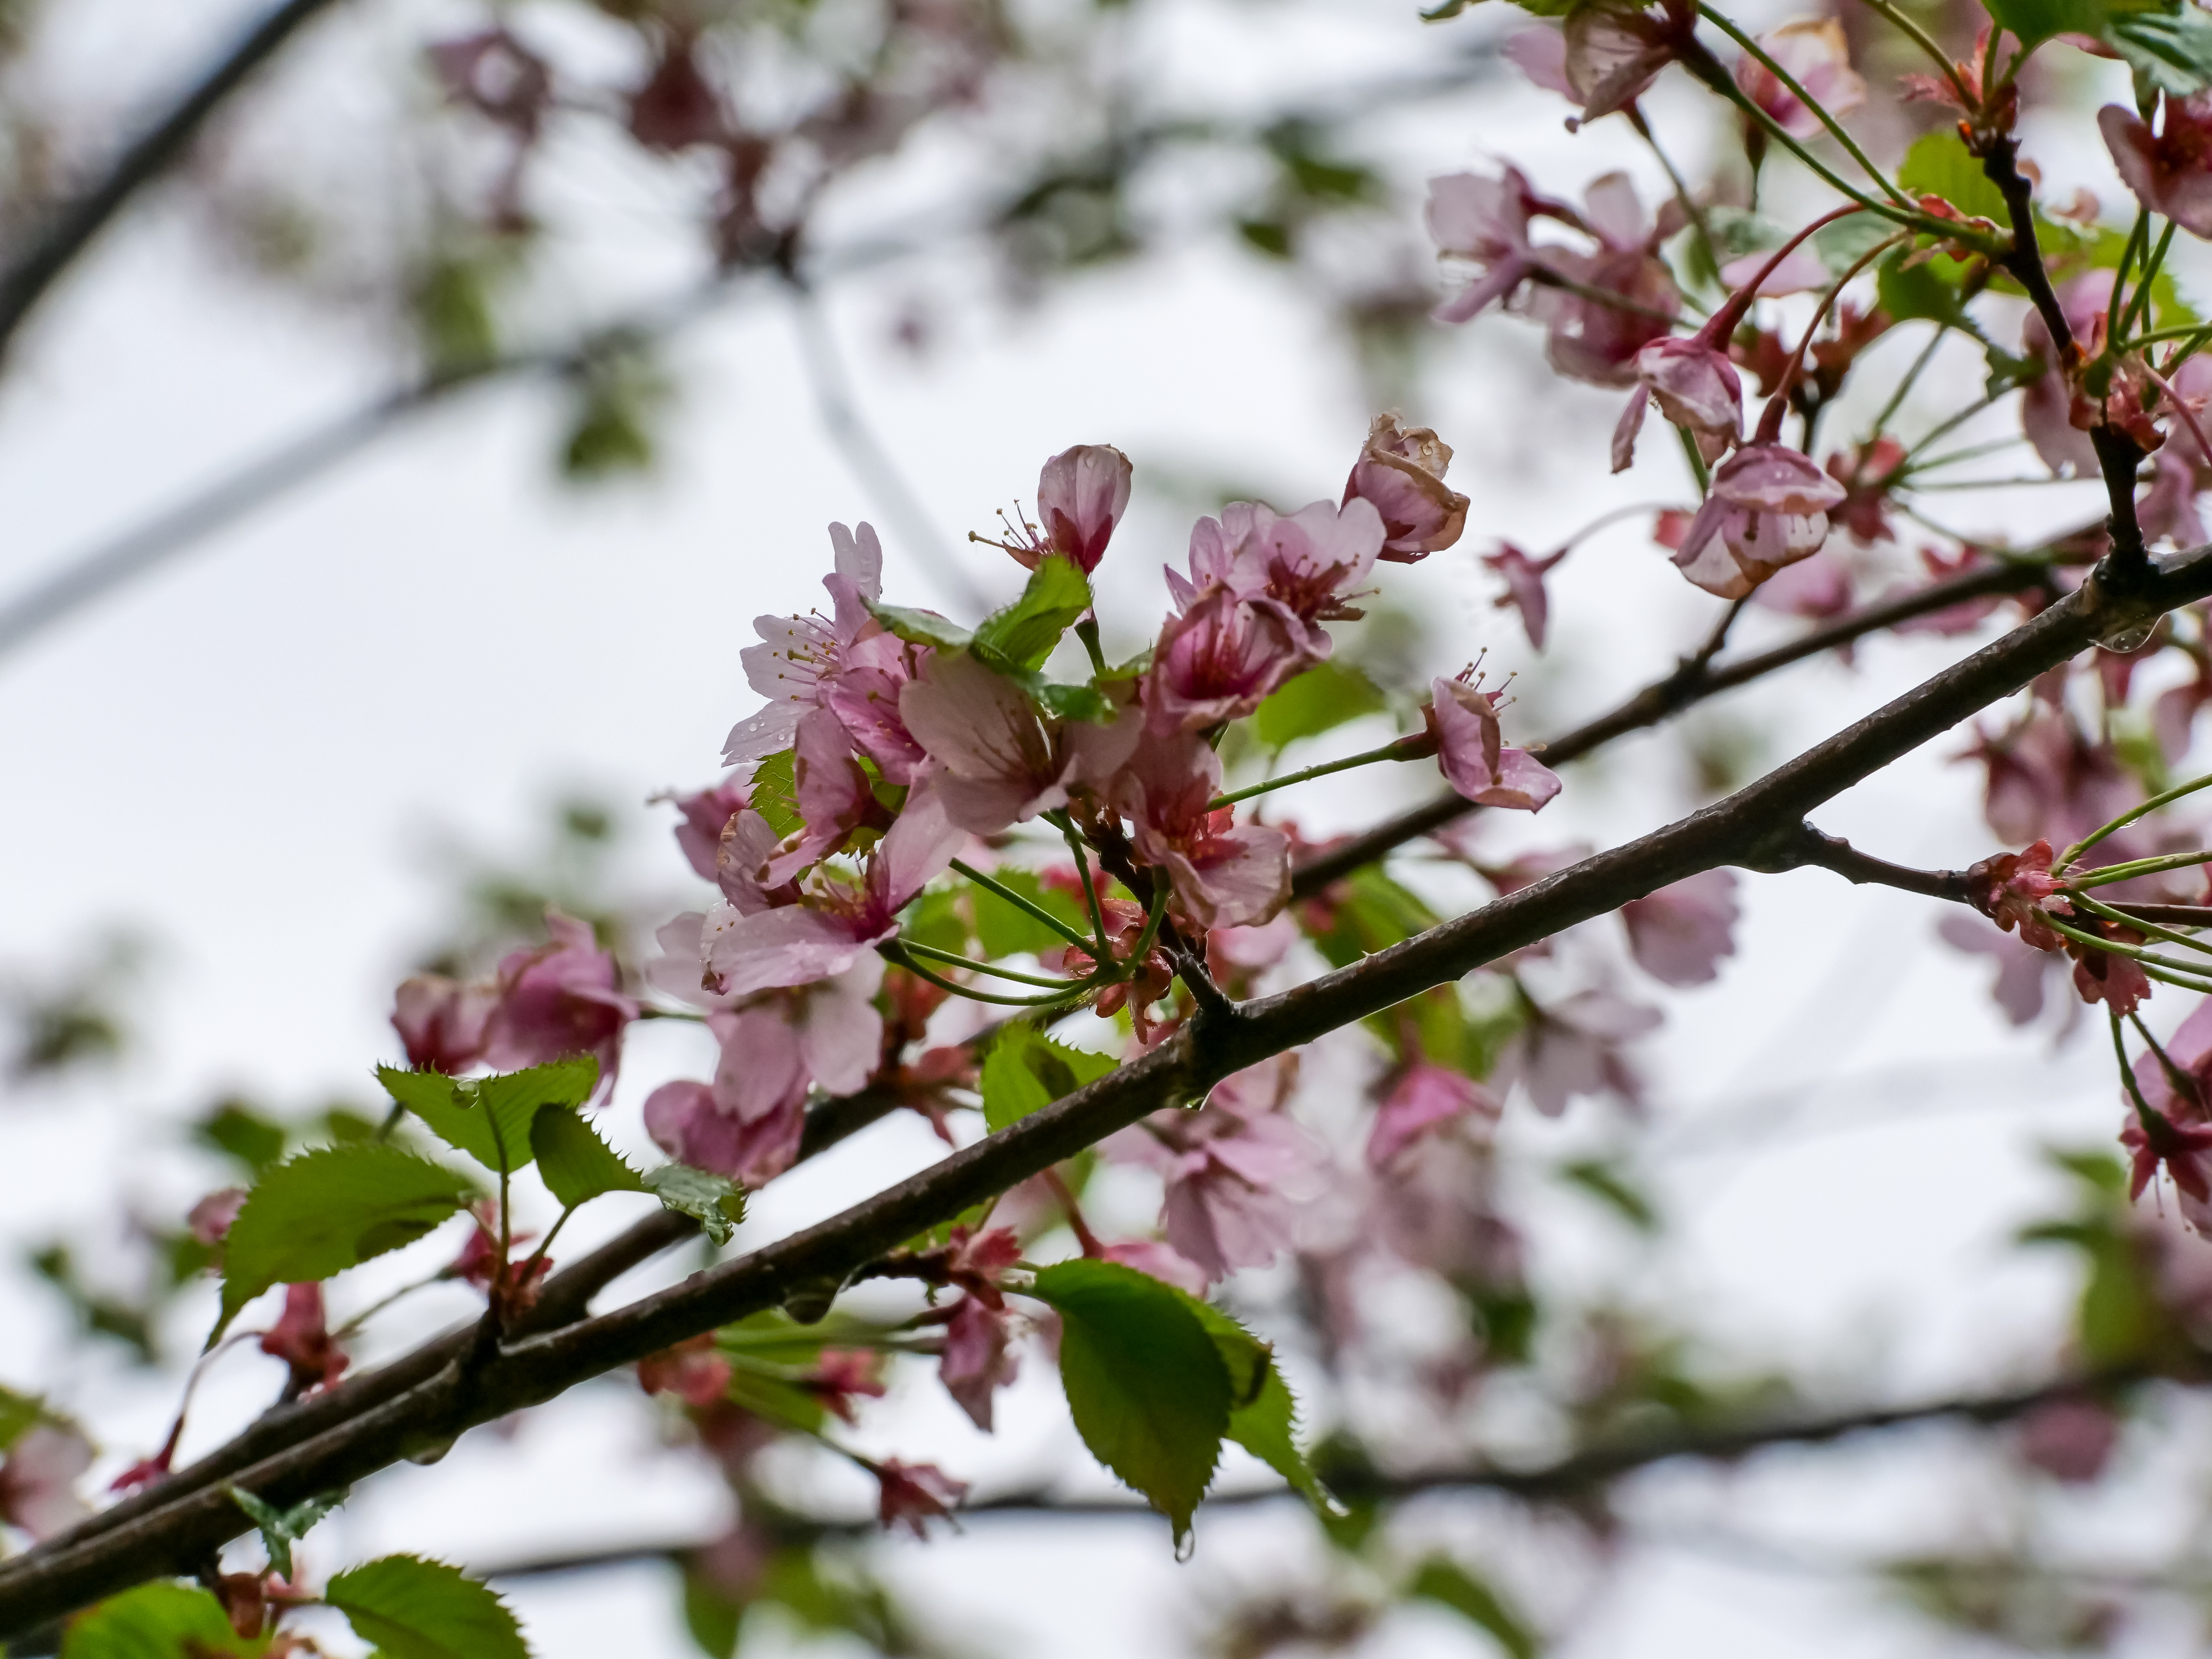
(1222, 875)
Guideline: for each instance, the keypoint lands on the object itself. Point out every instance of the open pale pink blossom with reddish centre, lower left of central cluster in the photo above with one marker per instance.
(835, 919)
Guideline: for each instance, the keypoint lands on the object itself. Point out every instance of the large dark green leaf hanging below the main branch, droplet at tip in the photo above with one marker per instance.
(1145, 1377)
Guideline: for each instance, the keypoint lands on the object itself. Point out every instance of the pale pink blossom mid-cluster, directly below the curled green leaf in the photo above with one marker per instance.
(1001, 762)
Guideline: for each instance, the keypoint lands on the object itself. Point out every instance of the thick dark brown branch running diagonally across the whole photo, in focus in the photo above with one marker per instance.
(1751, 828)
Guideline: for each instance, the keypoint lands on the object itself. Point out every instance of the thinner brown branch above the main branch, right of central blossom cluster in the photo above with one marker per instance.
(1691, 682)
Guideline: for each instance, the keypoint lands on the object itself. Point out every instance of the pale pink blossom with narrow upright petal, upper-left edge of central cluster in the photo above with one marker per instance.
(848, 665)
